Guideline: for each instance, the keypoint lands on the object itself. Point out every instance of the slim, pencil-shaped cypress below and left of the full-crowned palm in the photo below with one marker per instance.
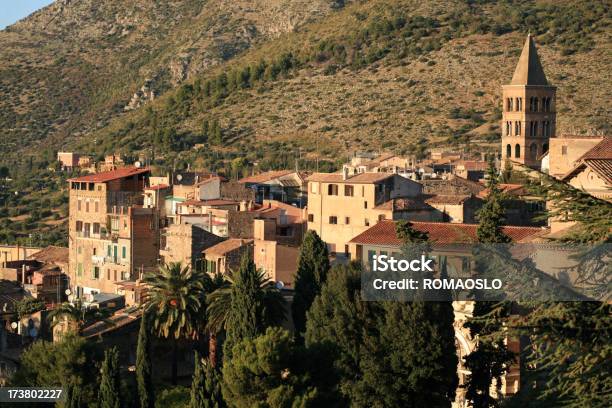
(143, 366)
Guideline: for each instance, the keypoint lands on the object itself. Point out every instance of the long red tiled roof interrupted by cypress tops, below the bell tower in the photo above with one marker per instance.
(383, 233)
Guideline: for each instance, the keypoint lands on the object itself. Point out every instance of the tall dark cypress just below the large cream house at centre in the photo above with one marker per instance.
(312, 269)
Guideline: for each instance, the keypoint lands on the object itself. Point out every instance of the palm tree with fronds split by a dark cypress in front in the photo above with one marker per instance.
(219, 304)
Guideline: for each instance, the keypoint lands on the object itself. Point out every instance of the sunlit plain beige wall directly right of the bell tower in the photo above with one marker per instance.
(565, 151)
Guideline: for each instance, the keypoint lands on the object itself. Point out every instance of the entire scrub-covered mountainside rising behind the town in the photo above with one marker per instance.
(324, 76)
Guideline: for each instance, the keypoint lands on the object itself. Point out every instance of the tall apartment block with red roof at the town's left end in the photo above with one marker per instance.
(112, 237)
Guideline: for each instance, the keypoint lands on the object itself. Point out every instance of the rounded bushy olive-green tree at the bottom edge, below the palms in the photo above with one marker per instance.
(269, 371)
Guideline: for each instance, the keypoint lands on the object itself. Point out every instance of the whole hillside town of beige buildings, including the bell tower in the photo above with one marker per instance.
(125, 221)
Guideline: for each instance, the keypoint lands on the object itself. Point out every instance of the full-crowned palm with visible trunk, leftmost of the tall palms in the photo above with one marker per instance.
(175, 296)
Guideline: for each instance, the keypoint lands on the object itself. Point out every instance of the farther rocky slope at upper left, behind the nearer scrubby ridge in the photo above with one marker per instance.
(69, 68)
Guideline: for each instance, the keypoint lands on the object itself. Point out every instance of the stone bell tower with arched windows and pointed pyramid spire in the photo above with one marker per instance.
(529, 114)
